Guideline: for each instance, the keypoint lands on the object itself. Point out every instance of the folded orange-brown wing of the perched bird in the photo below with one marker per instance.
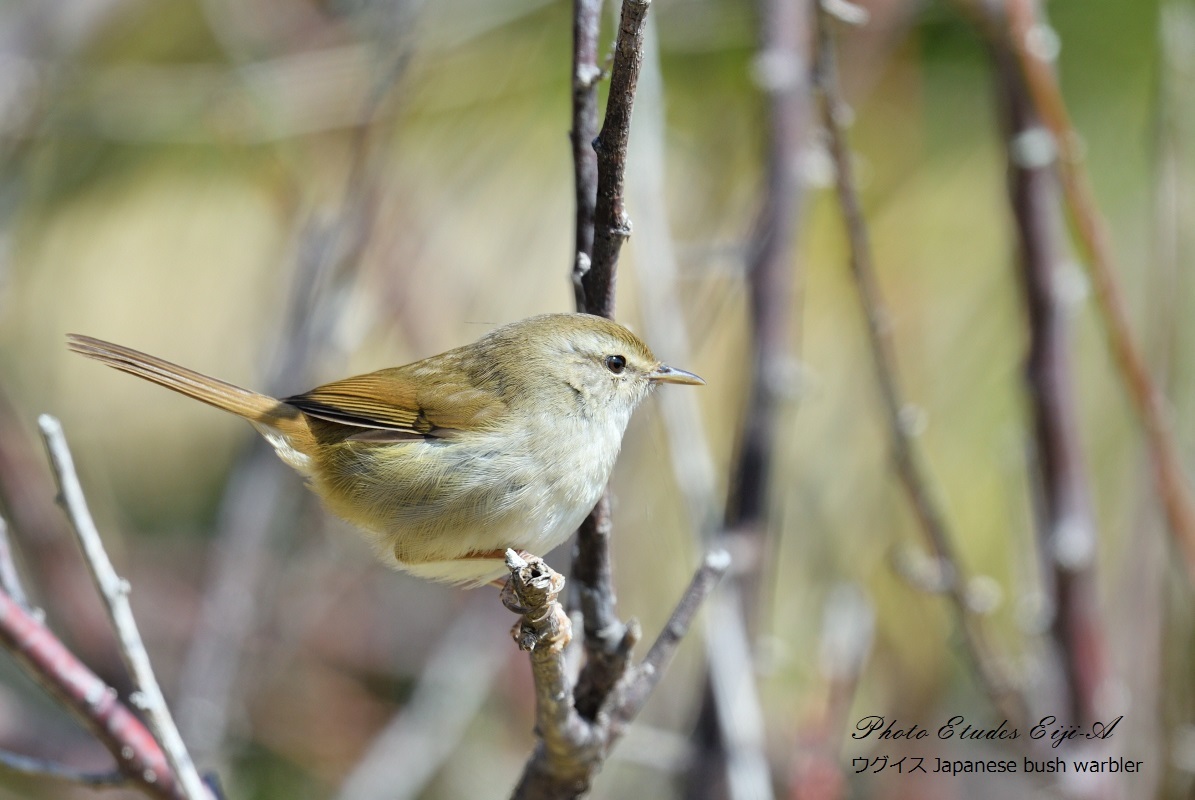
(399, 404)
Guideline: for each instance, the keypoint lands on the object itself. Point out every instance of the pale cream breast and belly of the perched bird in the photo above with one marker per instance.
(469, 496)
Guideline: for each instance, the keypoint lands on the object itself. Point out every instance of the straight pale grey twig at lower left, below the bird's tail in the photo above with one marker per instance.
(115, 593)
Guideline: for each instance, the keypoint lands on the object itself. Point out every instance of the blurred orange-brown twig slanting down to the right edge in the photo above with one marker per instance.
(1031, 35)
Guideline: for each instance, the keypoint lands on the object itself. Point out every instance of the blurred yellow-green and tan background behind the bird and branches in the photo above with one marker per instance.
(281, 193)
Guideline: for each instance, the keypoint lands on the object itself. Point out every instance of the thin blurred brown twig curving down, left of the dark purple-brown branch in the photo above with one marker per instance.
(910, 469)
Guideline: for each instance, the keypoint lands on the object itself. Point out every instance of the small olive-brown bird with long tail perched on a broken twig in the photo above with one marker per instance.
(506, 443)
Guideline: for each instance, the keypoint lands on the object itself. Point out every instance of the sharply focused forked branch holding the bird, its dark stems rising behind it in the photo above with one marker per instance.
(574, 736)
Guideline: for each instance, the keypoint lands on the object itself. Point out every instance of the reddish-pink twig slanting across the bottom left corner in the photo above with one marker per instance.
(85, 695)
